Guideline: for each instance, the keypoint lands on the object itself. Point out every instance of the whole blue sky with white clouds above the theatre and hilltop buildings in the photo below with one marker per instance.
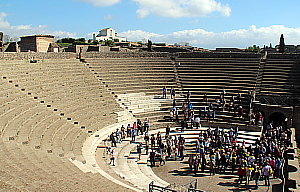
(201, 23)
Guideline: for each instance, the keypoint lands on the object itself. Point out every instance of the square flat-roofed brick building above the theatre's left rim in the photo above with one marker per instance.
(38, 43)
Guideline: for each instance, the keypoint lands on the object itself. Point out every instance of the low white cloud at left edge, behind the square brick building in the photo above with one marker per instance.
(20, 30)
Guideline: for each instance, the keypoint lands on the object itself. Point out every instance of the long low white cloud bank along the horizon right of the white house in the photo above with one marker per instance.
(241, 38)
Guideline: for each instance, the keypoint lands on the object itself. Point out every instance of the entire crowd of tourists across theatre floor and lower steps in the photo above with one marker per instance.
(217, 150)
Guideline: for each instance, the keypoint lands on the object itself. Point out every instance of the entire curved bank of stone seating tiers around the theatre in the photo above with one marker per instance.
(49, 109)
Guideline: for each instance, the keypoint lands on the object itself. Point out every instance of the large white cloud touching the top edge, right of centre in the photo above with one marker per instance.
(180, 8)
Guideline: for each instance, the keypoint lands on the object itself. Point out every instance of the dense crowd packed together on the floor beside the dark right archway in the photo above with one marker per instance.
(219, 152)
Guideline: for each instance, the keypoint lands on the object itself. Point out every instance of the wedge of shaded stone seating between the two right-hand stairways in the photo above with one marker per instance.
(211, 75)
